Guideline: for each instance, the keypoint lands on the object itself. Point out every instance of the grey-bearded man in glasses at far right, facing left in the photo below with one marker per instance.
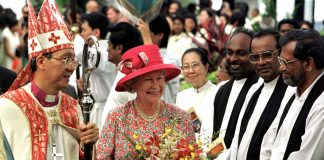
(298, 131)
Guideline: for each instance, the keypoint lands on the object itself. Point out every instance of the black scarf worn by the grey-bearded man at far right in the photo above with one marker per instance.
(298, 130)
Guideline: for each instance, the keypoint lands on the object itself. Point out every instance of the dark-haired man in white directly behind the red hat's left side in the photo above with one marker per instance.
(118, 43)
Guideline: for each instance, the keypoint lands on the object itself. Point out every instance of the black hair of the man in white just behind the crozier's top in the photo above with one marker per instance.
(97, 20)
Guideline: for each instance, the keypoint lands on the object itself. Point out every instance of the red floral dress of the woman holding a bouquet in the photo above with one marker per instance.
(123, 123)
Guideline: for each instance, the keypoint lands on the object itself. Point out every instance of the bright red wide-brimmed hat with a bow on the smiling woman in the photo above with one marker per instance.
(141, 60)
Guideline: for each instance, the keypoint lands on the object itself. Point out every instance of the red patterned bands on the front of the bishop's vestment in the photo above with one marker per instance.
(37, 119)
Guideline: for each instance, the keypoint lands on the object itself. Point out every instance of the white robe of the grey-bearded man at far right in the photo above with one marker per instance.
(313, 137)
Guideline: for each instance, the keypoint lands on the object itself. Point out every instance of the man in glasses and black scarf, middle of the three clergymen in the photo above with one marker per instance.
(263, 100)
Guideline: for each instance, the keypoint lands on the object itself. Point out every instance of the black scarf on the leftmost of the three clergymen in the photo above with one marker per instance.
(220, 104)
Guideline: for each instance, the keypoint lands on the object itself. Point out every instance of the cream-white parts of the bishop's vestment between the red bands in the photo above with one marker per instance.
(15, 126)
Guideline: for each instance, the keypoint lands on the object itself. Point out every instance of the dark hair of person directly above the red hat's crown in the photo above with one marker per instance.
(155, 27)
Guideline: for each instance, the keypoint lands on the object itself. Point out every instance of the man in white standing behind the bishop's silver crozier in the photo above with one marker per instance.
(102, 78)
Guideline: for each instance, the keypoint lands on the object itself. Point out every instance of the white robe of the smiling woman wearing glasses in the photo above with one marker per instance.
(202, 100)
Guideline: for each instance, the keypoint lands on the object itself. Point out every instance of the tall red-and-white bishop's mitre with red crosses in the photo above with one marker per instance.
(47, 33)
